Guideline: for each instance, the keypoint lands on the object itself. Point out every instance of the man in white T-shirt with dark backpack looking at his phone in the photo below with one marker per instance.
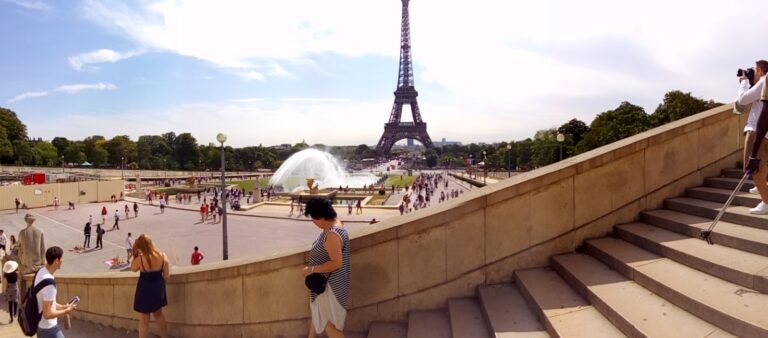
(40, 311)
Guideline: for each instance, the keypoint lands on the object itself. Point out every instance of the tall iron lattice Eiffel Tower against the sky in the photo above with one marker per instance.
(395, 130)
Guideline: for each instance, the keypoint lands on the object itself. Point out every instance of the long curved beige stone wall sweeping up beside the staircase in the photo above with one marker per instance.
(420, 260)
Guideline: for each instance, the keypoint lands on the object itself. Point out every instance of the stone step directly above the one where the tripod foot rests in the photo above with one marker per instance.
(734, 214)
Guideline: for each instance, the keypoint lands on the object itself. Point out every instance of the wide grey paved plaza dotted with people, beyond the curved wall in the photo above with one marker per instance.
(176, 232)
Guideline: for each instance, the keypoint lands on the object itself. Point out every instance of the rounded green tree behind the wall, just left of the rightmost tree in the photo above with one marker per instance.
(613, 125)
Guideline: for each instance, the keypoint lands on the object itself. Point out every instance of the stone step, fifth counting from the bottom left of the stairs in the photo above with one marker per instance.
(561, 309)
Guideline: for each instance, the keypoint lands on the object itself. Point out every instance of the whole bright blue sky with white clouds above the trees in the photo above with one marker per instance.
(267, 72)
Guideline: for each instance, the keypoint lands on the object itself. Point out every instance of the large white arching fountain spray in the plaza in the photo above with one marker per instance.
(320, 166)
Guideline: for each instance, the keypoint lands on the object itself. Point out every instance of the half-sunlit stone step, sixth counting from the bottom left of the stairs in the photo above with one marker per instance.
(646, 315)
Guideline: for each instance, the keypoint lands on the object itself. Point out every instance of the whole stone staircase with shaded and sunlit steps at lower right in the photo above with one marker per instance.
(651, 278)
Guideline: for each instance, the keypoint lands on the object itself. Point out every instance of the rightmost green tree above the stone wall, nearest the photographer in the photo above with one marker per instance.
(677, 105)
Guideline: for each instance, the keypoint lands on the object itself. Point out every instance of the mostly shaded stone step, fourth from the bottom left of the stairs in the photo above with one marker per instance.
(507, 312)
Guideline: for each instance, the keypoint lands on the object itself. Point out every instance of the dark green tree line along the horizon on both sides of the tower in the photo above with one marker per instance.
(182, 152)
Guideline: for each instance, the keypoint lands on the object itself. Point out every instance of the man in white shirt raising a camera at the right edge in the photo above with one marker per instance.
(754, 138)
